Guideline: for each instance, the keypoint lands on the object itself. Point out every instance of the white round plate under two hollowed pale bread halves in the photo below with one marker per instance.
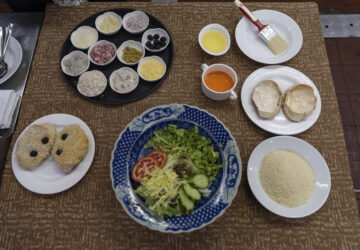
(285, 77)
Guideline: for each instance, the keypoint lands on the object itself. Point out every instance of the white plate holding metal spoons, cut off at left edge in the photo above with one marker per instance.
(13, 57)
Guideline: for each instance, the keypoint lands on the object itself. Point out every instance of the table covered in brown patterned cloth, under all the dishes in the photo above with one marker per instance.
(89, 216)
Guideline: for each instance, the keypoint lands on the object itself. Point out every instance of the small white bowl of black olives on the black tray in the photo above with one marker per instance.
(155, 40)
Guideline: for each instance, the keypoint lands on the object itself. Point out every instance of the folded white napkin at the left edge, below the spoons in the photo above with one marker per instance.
(8, 103)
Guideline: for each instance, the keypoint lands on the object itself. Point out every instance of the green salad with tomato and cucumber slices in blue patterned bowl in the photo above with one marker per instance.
(178, 172)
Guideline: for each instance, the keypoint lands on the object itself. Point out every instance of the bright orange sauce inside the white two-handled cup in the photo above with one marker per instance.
(218, 81)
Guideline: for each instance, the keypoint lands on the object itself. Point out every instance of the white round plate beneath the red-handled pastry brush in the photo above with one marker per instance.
(251, 44)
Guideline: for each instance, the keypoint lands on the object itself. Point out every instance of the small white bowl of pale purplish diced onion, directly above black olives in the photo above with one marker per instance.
(135, 22)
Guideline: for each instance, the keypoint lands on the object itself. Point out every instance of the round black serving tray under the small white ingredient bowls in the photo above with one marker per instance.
(109, 96)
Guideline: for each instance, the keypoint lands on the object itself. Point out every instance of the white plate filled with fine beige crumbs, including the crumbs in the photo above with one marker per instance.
(288, 176)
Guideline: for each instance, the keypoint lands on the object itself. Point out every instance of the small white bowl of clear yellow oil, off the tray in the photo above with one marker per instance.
(214, 39)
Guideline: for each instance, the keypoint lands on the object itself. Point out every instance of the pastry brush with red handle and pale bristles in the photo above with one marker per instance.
(272, 39)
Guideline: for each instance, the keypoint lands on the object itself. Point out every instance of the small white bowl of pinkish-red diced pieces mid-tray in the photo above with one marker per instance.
(102, 53)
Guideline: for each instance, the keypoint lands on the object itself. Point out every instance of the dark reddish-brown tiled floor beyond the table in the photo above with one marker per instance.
(344, 58)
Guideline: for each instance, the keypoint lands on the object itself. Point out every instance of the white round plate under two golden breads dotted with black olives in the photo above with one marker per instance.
(46, 178)
